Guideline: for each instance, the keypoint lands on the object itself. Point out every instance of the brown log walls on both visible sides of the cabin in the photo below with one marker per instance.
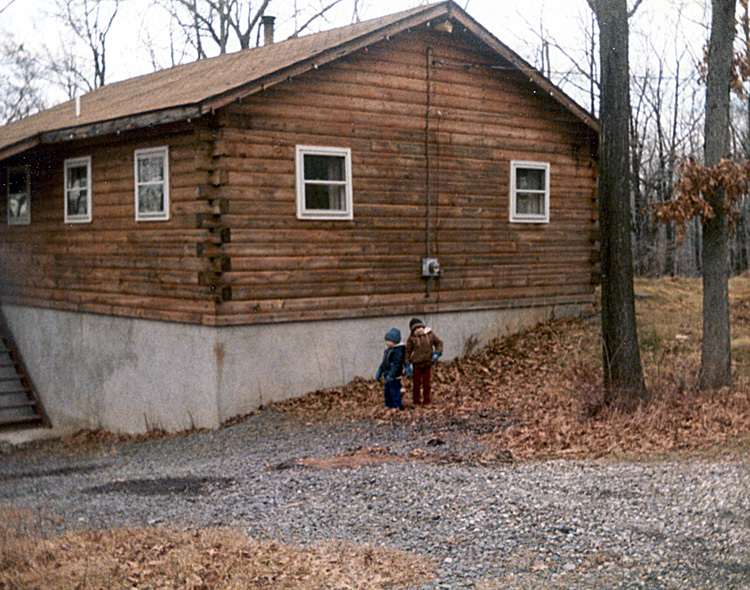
(432, 120)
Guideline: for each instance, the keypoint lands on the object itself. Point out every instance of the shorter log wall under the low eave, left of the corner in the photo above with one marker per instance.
(113, 265)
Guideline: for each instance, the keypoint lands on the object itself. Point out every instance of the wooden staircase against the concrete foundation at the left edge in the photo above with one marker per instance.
(19, 405)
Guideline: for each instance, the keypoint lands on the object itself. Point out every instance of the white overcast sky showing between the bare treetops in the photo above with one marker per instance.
(518, 23)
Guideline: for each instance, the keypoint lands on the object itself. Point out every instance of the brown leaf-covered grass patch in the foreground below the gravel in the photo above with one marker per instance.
(219, 559)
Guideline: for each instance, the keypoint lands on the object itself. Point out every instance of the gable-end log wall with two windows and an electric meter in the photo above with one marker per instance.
(481, 117)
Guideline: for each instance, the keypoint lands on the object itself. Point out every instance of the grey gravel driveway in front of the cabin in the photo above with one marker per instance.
(671, 524)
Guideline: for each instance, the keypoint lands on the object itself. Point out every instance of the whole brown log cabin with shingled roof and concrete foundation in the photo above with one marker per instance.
(183, 247)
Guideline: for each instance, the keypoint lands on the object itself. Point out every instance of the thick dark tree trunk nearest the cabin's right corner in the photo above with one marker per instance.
(623, 374)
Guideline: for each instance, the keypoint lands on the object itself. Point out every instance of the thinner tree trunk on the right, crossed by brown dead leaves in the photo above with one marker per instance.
(716, 366)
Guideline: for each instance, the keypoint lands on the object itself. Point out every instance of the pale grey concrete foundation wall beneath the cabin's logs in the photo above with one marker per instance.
(131, 375)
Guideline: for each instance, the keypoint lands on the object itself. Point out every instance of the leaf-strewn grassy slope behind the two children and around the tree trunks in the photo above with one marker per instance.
(543, 387)
